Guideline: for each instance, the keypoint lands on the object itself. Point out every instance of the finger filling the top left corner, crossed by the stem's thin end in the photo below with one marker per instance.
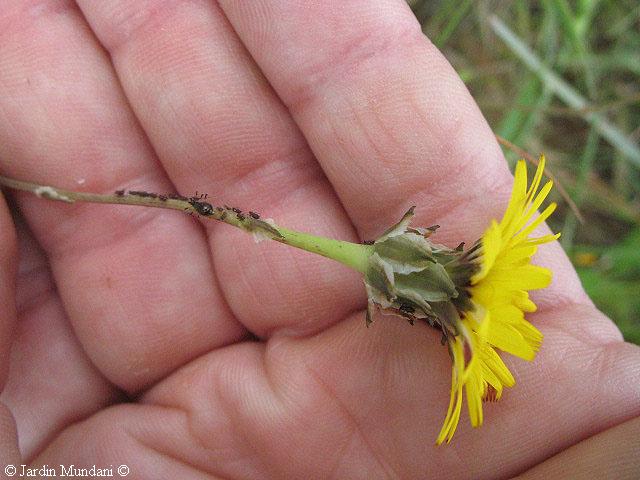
(131, 279)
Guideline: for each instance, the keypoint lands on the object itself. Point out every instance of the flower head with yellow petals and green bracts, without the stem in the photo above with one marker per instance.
(477, 298)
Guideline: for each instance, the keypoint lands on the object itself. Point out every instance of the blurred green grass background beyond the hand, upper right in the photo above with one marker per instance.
(562, 78)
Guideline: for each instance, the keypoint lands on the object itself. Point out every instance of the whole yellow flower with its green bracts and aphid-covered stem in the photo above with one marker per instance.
(477, 298)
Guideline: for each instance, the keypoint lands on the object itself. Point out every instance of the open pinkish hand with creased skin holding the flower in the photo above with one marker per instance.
(184, 349)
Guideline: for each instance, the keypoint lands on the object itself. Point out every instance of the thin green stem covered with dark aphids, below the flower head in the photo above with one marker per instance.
(353, 255)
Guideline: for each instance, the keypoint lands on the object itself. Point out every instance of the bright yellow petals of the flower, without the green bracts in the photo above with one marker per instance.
(498, 293)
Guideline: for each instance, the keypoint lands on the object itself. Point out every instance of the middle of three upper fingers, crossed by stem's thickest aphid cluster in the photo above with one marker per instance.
(218, 127)
